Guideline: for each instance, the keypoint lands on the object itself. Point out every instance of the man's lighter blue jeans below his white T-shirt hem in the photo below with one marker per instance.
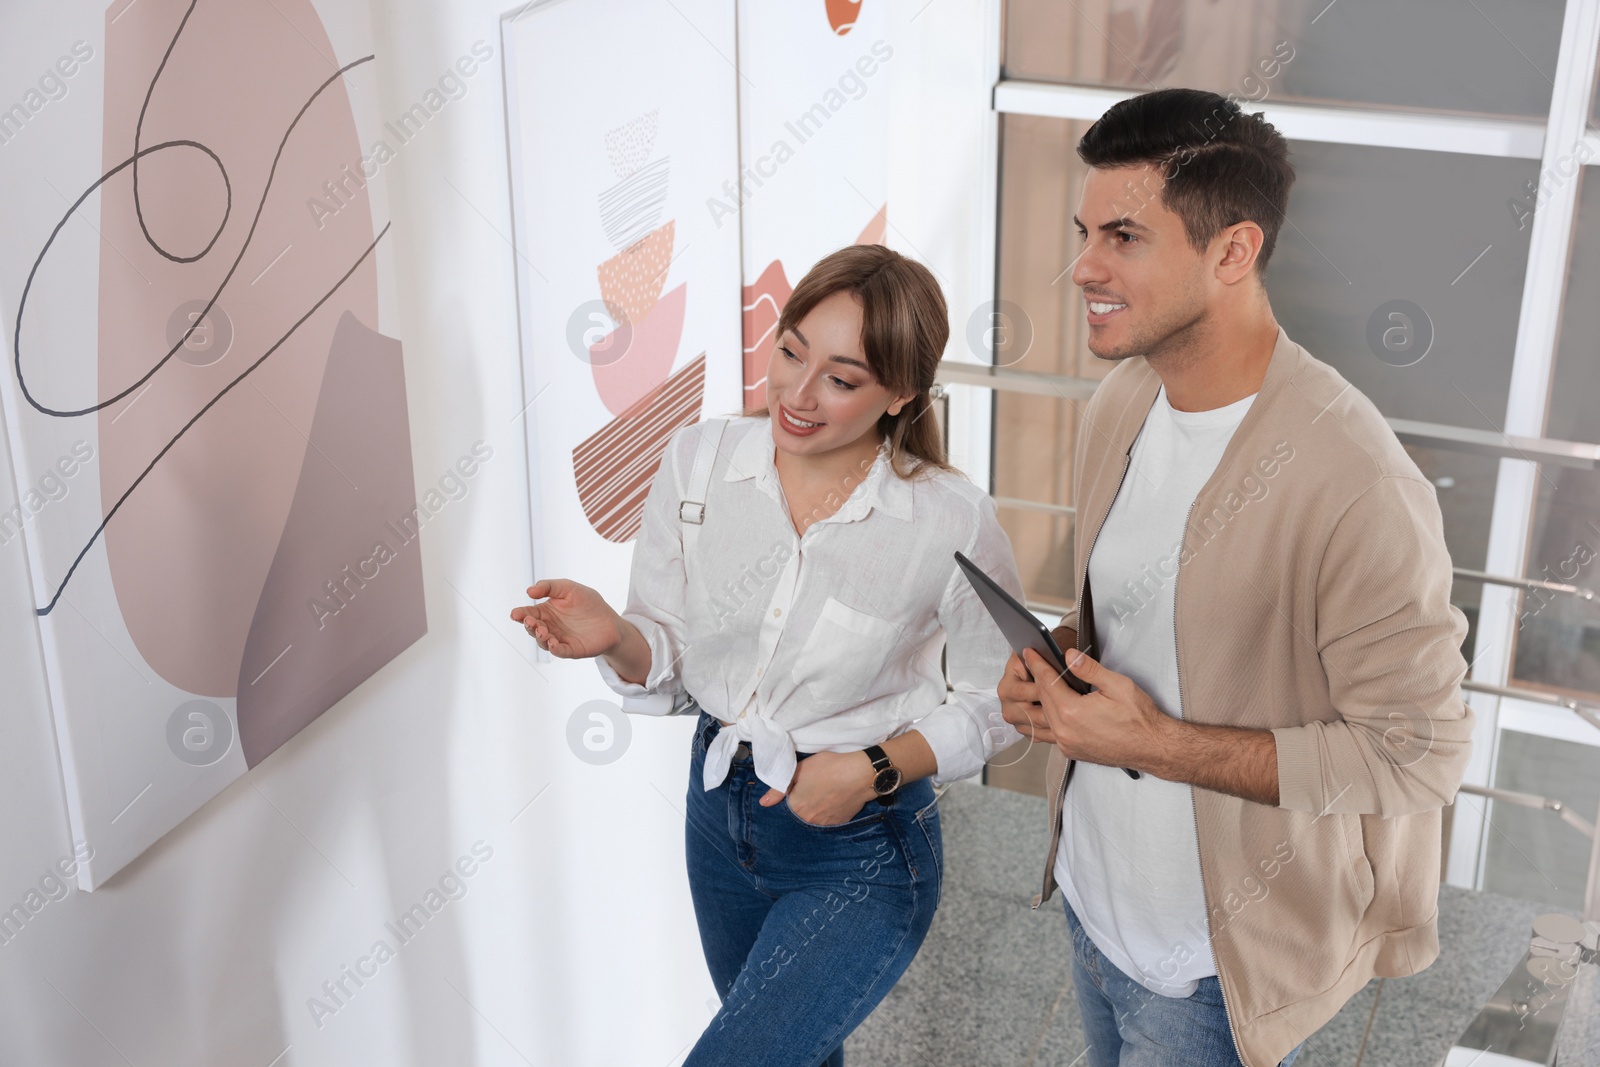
(1129, 1026)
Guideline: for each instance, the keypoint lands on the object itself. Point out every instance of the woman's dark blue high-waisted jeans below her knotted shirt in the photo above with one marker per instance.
(806, 929)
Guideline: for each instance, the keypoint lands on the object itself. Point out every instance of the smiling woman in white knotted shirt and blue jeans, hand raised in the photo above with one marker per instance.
(806, 615)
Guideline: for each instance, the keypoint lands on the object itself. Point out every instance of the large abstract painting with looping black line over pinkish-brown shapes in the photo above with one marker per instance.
(210, 585)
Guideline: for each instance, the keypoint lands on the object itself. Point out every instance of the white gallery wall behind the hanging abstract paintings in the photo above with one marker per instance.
(556, 917)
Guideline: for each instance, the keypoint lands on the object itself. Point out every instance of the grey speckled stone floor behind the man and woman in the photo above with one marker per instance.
(991, 985)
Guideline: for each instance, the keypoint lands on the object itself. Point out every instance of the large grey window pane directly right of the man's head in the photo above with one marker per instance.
(1404, 271)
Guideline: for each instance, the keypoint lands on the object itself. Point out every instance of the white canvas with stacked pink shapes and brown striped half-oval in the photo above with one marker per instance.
(628, 281)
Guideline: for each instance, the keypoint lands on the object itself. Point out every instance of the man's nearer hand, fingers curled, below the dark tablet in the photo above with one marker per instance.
(1118, 724)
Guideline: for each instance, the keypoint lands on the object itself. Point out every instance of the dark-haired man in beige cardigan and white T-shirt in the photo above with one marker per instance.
(1265, 615)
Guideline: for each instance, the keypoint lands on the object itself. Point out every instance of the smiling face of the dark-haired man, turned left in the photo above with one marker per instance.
(1143, 284)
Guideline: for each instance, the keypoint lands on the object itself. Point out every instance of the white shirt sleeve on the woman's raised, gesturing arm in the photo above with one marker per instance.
(657, 593)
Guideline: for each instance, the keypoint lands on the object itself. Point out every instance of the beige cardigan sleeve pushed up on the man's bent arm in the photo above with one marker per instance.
(1391, 645)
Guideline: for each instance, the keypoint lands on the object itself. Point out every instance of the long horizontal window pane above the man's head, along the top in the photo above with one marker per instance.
(1489, 57)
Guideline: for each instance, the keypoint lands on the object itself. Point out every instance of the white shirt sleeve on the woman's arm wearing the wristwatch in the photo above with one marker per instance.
(967, 729)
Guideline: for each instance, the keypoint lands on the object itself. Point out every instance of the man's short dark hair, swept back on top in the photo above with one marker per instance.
(1222, 166)
